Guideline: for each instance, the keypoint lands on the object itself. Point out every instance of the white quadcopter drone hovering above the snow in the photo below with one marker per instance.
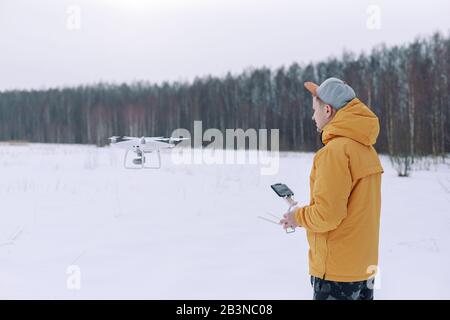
(141, 146)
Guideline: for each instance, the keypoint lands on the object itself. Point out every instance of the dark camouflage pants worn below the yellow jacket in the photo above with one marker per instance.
(333, 290)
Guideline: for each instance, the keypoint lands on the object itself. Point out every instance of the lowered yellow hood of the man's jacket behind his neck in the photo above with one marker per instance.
(355, 121)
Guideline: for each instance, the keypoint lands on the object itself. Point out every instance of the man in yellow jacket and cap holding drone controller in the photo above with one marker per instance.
(343, 218)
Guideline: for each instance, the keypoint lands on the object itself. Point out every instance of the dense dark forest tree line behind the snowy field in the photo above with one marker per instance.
(407, 87)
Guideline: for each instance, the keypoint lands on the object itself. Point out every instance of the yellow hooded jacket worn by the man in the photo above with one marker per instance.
(343, 218)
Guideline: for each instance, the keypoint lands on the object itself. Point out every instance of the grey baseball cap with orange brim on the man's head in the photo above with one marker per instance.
(332, 91)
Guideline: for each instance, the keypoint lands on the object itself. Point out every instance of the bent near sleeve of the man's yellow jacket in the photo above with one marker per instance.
(332, 188)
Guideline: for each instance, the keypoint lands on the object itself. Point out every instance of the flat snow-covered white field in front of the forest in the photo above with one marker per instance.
(190, 231)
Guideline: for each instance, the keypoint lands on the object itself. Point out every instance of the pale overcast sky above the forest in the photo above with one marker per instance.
(50, 43)
